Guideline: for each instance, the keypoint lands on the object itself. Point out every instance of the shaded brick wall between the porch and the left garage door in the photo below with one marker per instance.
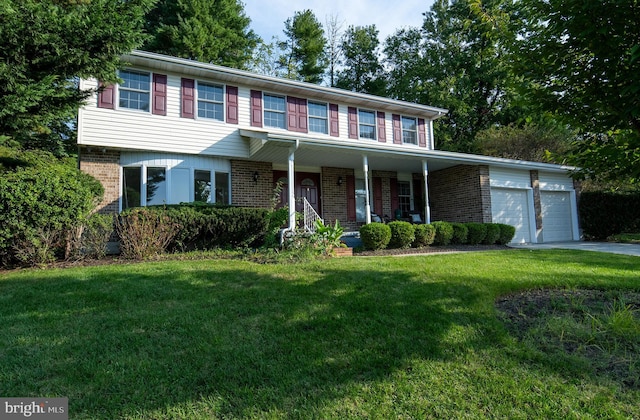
(460, 194)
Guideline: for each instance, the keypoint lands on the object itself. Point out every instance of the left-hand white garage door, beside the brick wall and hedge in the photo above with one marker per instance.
(510, 206)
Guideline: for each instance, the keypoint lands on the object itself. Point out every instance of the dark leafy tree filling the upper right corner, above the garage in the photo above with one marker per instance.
(582, 61)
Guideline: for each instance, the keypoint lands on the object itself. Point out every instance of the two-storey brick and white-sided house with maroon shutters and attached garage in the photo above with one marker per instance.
(177, 130)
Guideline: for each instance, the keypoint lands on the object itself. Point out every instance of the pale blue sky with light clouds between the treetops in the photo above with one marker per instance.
(268, 16)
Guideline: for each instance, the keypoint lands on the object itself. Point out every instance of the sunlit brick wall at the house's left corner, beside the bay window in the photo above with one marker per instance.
(104, 165)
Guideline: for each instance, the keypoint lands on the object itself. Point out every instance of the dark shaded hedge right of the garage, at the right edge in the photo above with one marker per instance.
(603, 214)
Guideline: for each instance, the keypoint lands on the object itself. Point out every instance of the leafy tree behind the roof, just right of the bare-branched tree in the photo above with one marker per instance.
(362, 69)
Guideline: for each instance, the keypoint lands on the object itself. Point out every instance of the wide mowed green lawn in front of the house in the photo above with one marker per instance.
(380, 337)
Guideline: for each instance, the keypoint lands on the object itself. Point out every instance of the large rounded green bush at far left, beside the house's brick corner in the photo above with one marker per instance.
(42, 199)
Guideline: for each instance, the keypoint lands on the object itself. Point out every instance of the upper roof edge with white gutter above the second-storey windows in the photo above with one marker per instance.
(281, 82)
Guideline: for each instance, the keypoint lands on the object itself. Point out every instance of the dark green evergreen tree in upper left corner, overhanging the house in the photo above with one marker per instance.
(46, 46)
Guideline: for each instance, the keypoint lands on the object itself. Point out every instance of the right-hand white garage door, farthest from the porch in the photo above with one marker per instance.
(556, 216)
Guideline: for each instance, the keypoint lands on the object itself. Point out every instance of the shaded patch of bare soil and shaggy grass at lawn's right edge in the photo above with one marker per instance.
(600, 330)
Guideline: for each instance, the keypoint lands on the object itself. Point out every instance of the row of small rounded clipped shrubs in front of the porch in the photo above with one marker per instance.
(400, 234)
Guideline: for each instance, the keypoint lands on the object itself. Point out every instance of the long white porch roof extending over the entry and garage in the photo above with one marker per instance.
(266, 146)
